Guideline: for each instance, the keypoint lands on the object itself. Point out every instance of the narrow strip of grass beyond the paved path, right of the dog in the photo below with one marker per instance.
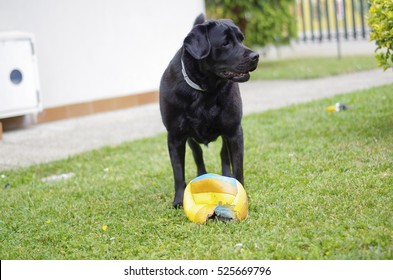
(312, 67)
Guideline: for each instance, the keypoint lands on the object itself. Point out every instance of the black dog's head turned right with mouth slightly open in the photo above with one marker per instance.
(218, 44)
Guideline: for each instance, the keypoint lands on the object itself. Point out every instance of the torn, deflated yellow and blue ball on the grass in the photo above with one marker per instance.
(212, 195)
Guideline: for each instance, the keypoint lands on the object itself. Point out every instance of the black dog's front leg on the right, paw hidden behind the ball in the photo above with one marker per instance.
(235, 146)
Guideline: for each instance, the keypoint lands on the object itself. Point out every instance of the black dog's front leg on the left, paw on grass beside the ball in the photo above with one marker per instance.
(177, 151)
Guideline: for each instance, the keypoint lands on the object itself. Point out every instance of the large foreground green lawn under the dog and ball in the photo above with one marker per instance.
(320, 187)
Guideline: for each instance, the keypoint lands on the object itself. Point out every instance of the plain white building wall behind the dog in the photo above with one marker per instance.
(94, 49)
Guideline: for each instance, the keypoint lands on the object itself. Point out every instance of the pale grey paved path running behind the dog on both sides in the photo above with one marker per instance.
(58, 140)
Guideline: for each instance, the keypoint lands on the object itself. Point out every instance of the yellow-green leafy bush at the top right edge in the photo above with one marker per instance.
(381, 22)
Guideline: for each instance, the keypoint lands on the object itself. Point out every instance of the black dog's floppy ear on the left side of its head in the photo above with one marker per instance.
(197, 42)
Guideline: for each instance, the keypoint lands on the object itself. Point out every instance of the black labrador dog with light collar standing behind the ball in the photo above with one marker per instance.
(200, 98)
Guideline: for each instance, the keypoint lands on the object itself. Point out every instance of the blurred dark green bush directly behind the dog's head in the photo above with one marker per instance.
(262, 21)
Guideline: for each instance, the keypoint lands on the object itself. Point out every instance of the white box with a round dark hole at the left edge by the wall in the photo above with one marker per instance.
(19, 84)
